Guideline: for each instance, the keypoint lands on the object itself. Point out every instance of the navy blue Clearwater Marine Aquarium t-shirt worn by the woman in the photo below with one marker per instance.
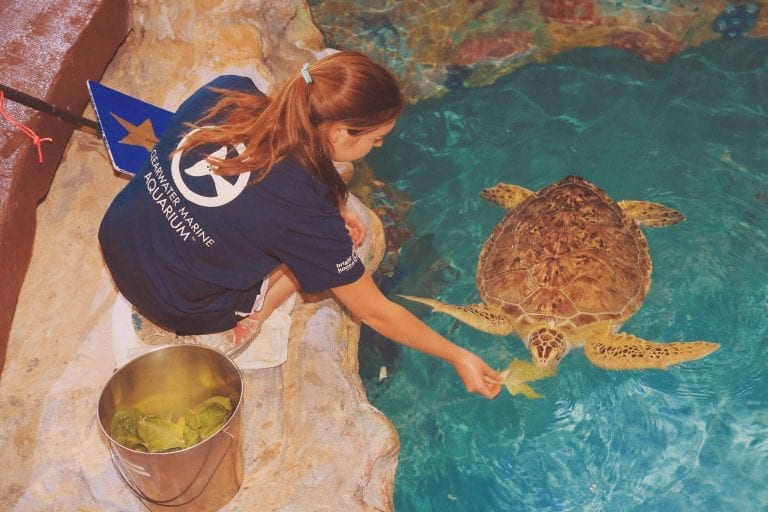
(189, 248)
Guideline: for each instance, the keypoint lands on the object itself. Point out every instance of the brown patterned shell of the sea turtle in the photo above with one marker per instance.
(565, 255)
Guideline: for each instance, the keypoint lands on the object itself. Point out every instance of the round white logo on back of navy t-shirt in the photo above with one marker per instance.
(198, 183)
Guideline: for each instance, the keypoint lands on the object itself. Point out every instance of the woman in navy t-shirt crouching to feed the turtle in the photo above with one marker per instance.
(240, 205)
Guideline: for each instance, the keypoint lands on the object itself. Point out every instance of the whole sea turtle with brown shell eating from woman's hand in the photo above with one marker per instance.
(565, 268)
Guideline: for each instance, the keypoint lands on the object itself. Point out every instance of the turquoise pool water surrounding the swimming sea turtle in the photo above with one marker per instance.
(692, 134)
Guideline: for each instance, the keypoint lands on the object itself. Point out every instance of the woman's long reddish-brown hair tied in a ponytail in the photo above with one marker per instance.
(347, 88)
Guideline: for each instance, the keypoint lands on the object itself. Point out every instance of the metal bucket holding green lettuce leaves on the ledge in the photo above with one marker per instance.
(202, 477)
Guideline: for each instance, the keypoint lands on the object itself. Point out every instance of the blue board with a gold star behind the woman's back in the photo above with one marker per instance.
(130, 127)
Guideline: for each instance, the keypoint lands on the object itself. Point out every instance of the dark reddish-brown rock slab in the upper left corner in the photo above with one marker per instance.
(47, 50)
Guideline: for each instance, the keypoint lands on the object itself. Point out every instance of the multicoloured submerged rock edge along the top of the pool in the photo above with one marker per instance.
(436, 45)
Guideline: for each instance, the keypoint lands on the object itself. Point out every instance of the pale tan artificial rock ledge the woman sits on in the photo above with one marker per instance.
(312, 441)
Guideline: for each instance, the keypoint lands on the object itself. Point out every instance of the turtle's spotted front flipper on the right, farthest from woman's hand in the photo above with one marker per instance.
(626, 352)
